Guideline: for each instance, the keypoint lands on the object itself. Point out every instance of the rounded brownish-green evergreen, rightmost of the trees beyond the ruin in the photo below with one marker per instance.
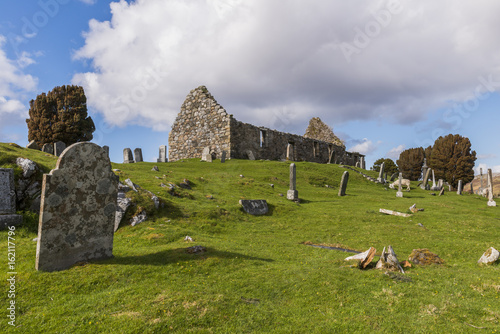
(452, 159)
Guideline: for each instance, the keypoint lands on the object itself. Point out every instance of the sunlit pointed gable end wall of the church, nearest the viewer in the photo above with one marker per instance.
(202, 122)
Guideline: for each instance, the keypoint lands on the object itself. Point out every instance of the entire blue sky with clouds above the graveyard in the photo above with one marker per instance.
(385, 75)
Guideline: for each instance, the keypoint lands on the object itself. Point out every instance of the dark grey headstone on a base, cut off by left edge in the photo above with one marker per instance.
(8, 215)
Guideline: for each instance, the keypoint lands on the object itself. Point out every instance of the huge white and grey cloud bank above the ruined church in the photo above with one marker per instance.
(263, 55)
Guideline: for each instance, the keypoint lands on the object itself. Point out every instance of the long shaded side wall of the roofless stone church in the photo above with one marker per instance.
(271, 144)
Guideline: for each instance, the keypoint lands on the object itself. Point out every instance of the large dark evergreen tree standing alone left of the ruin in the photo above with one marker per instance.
(60, 115)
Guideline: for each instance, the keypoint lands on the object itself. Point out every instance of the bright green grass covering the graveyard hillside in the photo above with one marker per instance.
(257, 275)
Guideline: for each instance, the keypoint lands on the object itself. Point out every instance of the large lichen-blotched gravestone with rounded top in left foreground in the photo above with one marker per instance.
(78, 209)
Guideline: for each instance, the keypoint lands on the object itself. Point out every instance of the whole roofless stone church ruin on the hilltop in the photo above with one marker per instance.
(202, 122)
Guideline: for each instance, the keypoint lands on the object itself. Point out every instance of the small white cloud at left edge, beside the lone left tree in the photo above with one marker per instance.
(14, 86)
